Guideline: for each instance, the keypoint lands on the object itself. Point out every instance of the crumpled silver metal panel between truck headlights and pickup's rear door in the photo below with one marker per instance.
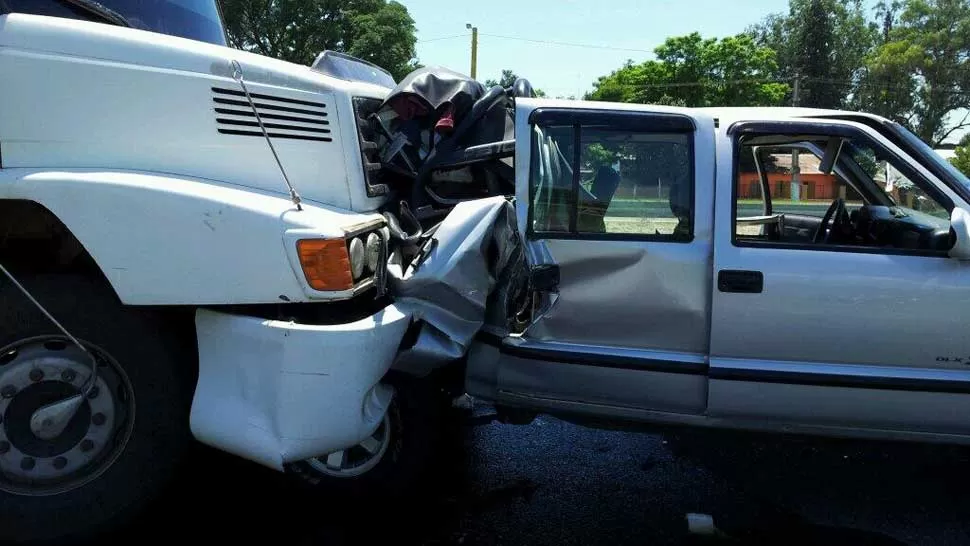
(449, 289)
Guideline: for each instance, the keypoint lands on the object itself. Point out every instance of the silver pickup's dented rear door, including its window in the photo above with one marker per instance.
(616, 206)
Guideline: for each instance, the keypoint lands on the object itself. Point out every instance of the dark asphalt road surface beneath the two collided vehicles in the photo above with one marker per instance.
(559, 484)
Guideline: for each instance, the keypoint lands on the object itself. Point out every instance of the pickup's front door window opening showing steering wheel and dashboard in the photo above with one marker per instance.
(848, 193)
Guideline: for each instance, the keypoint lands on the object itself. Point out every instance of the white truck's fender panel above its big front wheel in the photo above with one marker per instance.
(169, 240)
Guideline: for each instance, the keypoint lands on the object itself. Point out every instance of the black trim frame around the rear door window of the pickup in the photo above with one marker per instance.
(659, 123)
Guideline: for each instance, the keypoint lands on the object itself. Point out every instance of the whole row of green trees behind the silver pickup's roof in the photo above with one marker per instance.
(907, 60)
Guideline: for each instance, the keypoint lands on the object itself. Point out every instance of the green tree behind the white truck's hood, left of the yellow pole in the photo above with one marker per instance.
(379, 31)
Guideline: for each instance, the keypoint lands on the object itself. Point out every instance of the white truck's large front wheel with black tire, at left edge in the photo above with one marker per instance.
(125, 441)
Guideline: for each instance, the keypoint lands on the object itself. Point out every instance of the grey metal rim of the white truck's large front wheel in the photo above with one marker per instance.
(41, 370)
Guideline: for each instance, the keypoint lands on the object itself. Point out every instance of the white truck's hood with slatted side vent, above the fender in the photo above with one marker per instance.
(89, 95)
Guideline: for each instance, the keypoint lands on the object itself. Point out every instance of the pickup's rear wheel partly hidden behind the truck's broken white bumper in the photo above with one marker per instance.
(392, 461)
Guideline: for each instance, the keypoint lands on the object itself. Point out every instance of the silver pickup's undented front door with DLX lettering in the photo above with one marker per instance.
(859, 326)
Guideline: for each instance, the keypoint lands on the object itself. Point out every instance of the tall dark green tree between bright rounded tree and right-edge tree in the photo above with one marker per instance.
(824, 44)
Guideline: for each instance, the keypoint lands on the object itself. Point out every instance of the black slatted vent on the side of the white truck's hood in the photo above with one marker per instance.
(283, 117)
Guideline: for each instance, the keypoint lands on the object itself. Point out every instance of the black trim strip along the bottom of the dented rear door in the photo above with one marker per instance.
(595, 360)
